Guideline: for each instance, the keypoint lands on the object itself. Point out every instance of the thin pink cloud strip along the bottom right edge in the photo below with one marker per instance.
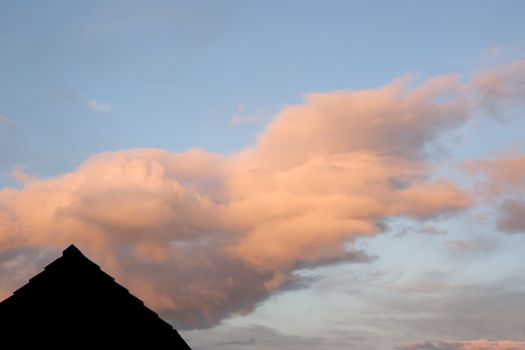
(481, 344)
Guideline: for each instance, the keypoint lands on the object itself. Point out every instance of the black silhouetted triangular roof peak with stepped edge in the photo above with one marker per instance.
(73, 299)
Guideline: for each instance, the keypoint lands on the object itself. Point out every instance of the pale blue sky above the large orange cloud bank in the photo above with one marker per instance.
(174, 73)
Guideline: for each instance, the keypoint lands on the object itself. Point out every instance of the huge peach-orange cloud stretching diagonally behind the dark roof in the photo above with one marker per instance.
(201, 236)
